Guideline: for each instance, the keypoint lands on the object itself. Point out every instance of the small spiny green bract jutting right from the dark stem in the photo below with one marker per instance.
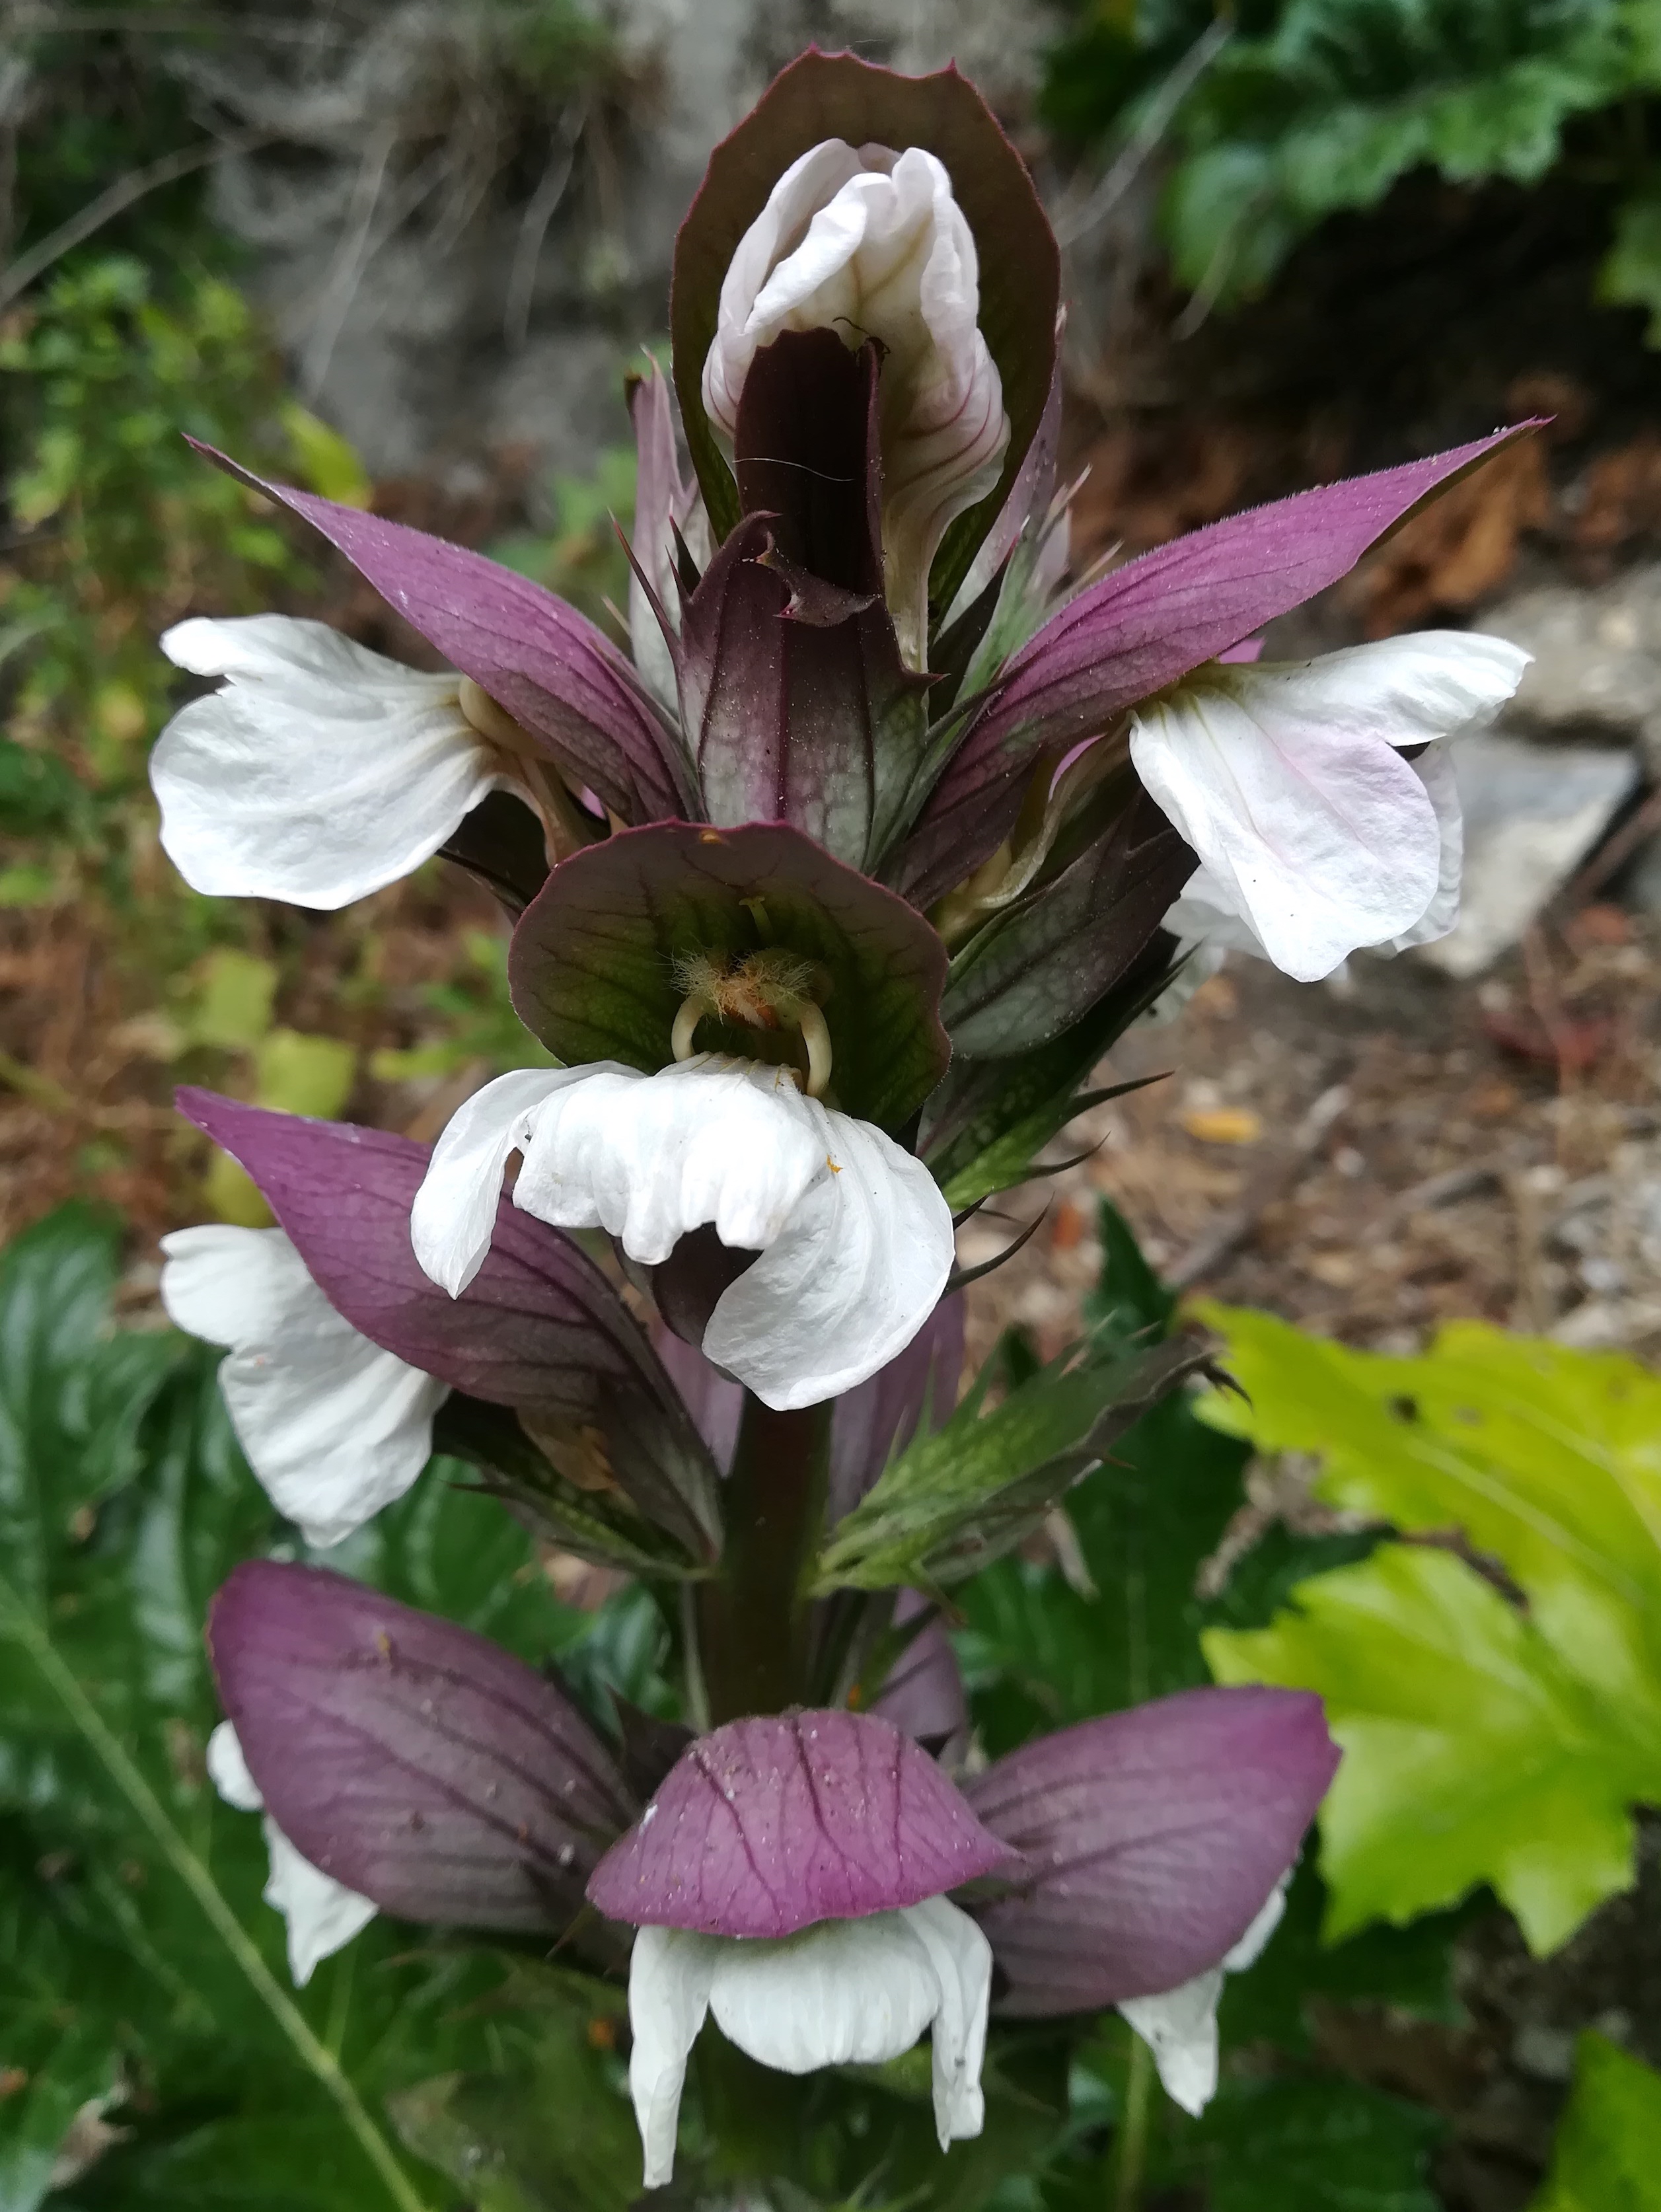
(968, 1492)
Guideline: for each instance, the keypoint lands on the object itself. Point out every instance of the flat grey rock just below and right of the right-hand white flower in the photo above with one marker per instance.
(1532, 815)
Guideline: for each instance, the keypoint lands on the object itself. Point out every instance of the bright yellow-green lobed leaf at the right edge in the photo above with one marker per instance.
(1483, 1742)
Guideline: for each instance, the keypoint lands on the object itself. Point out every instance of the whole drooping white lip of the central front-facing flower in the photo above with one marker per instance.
(855, 1235)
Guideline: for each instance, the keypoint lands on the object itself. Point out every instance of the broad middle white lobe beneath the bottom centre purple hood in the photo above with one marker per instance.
(842, 1994)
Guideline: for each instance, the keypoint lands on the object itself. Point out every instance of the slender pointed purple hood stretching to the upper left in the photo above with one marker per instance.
(539, 658)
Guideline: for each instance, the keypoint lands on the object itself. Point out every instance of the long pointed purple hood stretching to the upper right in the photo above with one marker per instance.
(1147, 625)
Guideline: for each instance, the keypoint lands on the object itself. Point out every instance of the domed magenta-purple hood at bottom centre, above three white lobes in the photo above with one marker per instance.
(786, 1819)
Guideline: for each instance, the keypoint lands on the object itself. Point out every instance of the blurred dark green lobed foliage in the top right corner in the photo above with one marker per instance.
(1279, 114)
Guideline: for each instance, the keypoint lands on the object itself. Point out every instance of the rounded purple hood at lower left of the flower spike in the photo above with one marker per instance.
(410, 1760)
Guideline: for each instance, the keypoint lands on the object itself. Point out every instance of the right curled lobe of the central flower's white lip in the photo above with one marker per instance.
(850, 1282)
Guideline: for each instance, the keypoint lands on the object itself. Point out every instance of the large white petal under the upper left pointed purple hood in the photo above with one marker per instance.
(320, 773)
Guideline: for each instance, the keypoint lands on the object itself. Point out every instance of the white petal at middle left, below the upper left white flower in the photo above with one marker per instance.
(333, 1426)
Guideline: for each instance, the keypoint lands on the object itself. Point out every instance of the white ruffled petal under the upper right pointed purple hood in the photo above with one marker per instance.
(1291, 786)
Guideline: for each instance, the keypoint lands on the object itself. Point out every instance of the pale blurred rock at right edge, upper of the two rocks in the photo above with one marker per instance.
(1598, 660)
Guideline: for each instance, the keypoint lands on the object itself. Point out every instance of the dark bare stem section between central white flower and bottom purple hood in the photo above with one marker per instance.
(753, 1620)
